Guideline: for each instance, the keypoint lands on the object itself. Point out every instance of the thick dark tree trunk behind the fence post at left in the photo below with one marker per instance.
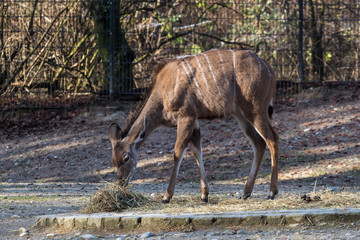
(123, 55)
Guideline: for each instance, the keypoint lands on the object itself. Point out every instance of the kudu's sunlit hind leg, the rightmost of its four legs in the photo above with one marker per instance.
(264, 128)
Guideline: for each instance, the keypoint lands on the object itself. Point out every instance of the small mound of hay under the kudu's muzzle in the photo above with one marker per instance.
(114, 198)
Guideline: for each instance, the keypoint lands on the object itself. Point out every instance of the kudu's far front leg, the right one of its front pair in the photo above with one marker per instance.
(195, 144)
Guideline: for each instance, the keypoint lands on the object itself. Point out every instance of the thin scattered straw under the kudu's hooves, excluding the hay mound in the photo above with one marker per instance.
(225, 203)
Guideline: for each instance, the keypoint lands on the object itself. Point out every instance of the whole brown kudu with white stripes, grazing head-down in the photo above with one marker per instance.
(209, 85)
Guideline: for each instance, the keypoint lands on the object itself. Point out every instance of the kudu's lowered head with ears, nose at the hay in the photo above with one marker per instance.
(124, 152)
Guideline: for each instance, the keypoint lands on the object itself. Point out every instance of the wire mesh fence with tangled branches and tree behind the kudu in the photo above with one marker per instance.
(63, 52)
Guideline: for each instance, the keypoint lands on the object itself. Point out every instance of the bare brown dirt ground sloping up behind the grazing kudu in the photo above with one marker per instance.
(51, 161)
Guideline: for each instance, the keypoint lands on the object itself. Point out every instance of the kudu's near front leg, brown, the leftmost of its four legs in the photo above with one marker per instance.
(184, 133)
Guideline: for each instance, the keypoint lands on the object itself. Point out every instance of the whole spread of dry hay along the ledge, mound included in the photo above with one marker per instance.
(114, 198)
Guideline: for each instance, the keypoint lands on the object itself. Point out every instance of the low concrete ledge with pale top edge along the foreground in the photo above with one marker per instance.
(132, 221)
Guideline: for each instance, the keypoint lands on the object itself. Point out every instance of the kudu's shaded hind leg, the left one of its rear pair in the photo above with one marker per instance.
(258, 145)
